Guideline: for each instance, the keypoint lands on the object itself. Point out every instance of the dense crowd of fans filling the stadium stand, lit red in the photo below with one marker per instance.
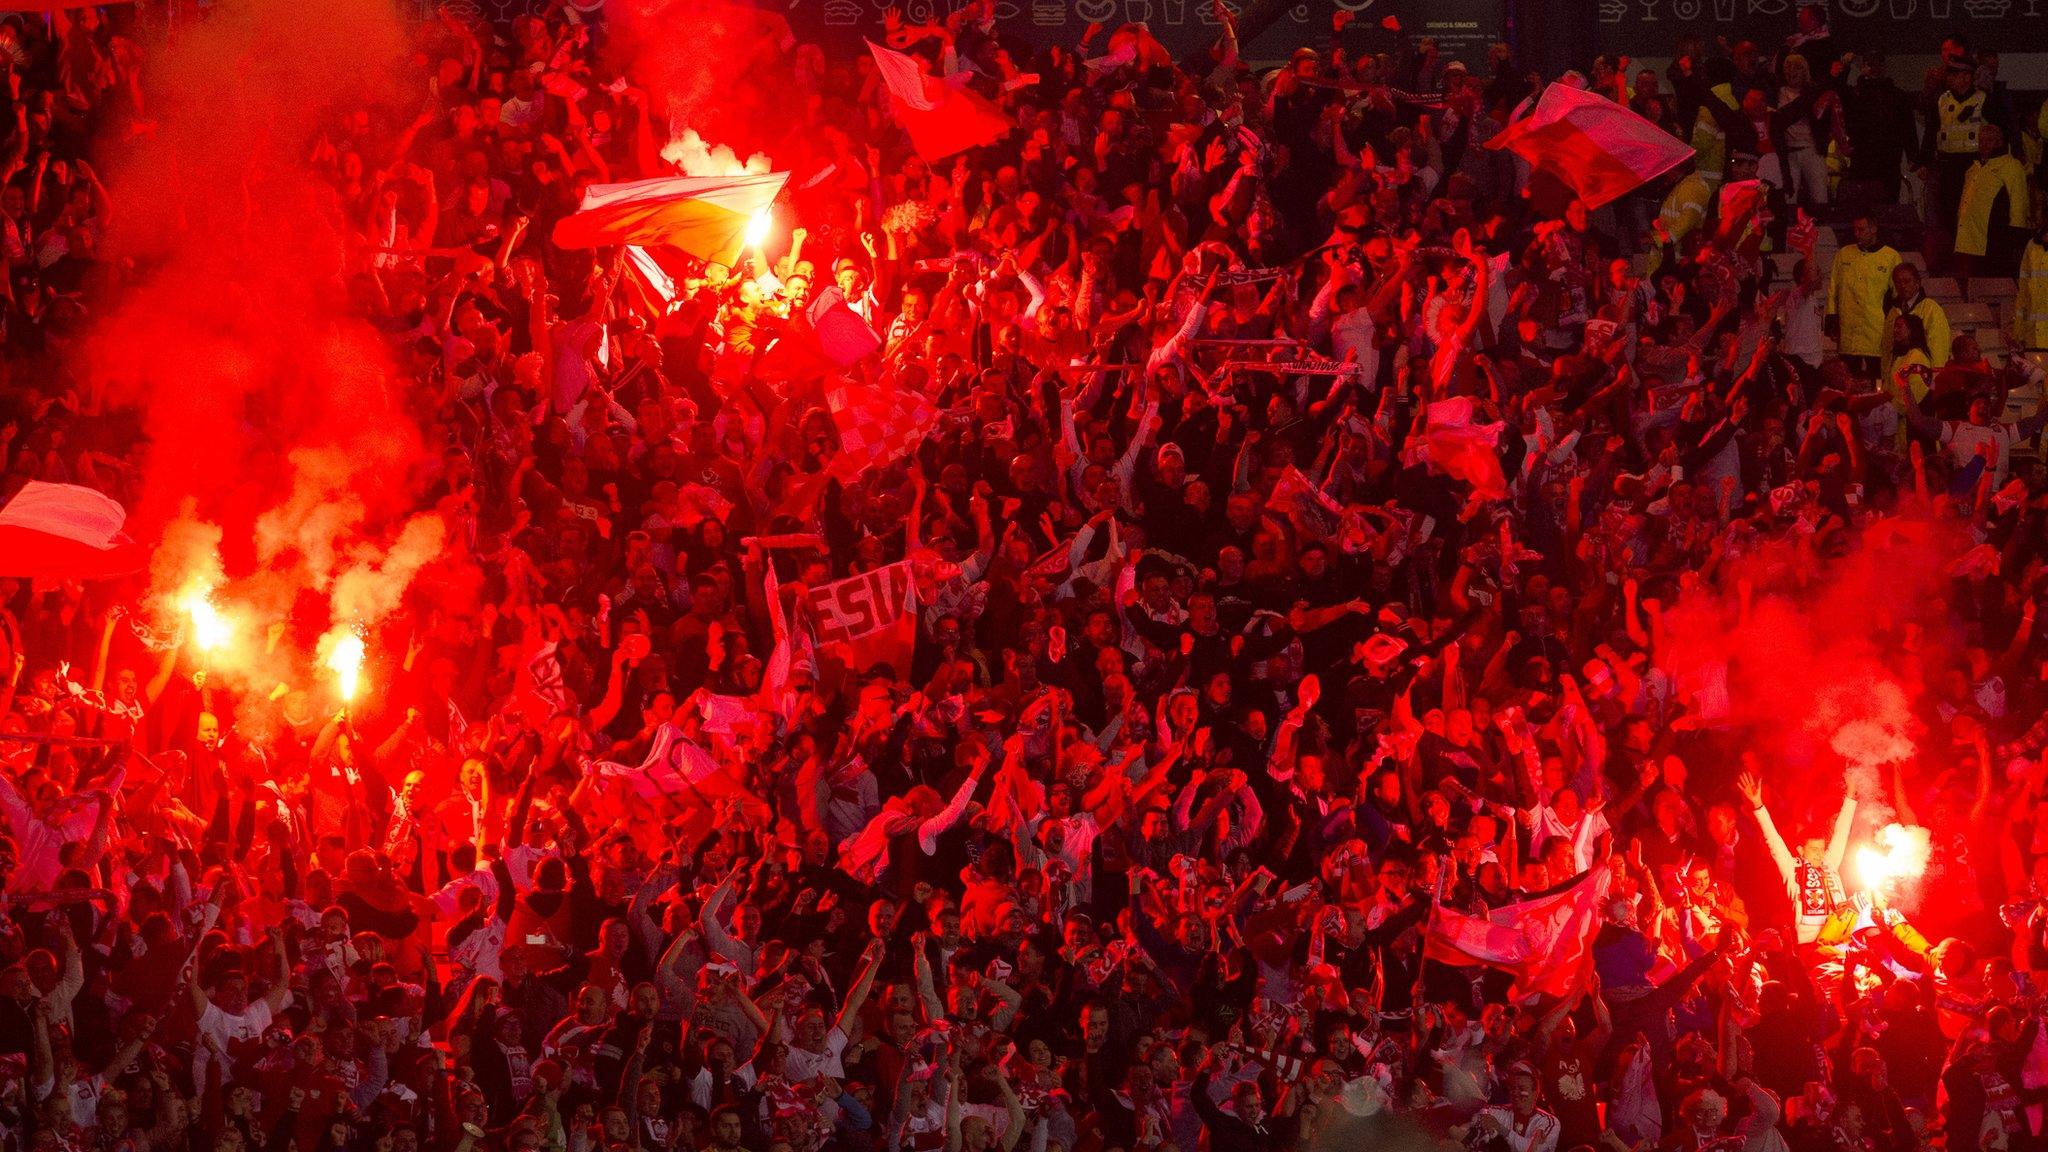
(1326, 522)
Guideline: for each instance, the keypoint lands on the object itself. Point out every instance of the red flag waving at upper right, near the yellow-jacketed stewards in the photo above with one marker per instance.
(1592, 145)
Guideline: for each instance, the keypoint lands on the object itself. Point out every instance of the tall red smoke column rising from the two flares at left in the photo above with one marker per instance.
(280, 448)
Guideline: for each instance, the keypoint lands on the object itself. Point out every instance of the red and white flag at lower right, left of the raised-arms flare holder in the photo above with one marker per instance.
(1543, 942)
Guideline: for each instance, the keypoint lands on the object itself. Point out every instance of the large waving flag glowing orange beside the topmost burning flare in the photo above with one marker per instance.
(703, 216)
